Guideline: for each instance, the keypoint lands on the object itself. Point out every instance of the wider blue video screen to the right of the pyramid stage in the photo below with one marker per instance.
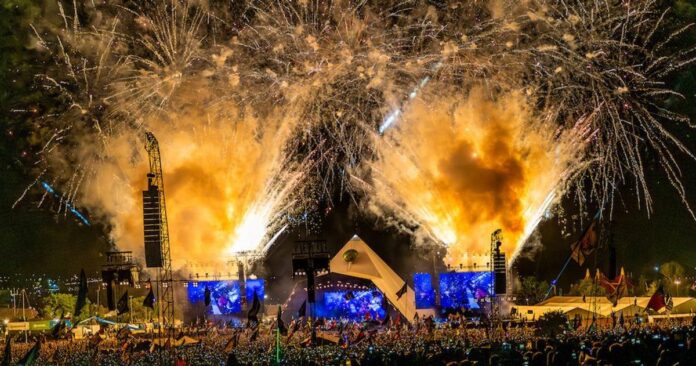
(464, 289)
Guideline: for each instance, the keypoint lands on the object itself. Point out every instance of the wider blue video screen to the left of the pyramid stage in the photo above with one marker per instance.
(225, 296)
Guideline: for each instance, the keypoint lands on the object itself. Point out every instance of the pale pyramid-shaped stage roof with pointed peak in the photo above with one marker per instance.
(368, 265)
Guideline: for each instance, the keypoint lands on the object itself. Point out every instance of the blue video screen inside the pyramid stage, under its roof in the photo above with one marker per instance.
(352, 305)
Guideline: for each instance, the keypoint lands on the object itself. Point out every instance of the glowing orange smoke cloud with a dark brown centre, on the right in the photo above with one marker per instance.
(461, 166)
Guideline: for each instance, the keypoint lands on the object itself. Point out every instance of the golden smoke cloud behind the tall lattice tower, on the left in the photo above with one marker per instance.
(226, 180)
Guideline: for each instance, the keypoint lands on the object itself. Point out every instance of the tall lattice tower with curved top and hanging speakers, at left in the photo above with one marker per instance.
(156, 234)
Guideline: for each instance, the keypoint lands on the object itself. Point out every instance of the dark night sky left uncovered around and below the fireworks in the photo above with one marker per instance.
(35, 239)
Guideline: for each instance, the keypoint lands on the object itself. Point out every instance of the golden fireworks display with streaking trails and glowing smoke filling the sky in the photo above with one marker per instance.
(448, 121)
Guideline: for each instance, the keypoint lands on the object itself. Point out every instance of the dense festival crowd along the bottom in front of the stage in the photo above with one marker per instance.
(427, 343)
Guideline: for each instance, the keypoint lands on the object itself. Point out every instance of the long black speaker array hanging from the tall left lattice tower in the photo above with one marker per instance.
(152, 224)
